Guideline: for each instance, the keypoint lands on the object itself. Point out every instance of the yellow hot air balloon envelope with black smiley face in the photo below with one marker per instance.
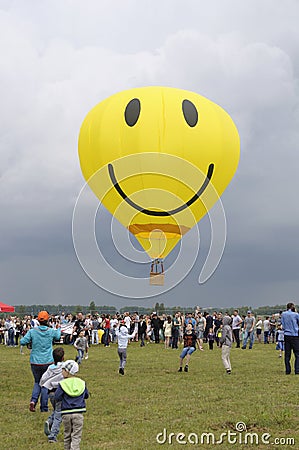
(158, 158)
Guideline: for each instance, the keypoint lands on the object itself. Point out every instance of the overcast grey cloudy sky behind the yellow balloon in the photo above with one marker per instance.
(60, 58)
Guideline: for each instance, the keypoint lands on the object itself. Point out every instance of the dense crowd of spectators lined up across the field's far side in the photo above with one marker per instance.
(153, 328)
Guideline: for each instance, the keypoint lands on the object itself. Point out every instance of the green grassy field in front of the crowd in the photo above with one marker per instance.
(128, 412)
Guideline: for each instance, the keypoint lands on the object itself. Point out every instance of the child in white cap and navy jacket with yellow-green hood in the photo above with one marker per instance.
(72, 393)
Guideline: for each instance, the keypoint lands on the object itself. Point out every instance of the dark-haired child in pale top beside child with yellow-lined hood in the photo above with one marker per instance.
(49, 381)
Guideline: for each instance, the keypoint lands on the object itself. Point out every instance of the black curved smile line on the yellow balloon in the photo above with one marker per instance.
(149, 212)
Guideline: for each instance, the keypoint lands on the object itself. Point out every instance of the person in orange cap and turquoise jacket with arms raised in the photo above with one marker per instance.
(41, 356)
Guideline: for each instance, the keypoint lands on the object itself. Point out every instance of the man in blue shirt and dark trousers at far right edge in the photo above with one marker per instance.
(290, 325)
